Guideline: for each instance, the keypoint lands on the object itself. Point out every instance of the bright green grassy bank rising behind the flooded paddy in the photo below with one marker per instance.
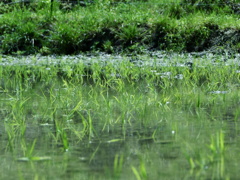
(119, 26)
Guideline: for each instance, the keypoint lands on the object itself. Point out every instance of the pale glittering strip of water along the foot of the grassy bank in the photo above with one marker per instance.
(156, 58)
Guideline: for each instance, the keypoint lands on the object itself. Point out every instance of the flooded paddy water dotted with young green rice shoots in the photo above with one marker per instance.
(157, 116)
